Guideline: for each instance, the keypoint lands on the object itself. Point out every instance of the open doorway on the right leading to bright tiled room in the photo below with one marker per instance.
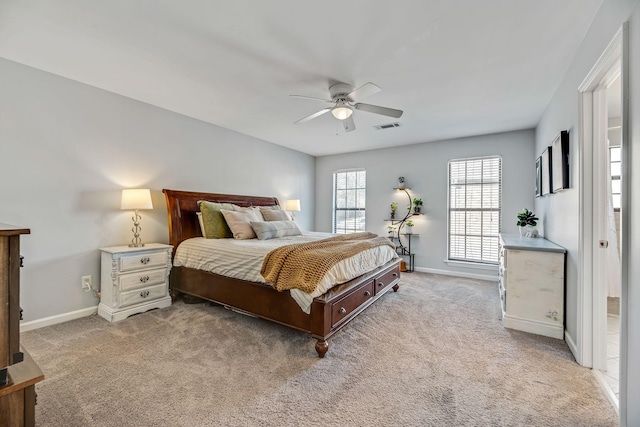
(602, 284)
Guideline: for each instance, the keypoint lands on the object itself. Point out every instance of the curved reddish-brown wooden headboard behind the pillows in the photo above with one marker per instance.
(183, 205)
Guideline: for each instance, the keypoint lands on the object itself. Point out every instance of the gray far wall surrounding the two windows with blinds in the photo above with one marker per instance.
(424, 167)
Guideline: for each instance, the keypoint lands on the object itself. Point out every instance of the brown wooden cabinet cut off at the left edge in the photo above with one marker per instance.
(18, 372)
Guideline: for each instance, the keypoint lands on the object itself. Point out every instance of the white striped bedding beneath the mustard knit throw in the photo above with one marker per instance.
(242, 259)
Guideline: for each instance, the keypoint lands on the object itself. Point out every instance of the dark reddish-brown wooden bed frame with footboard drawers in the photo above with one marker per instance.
(329, 312)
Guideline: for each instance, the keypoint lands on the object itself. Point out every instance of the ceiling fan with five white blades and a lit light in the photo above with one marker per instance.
(345, 98)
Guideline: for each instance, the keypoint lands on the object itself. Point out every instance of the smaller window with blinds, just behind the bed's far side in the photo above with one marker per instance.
(349, 196)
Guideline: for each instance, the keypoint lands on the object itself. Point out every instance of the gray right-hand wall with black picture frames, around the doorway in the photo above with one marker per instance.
(561, 210)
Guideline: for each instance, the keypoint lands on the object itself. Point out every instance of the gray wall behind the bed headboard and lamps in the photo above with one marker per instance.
(67, 150)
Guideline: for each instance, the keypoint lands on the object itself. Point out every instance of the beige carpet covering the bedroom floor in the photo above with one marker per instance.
(433, 354)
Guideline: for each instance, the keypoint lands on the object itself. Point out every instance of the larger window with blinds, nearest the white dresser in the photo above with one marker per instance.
(475, 201)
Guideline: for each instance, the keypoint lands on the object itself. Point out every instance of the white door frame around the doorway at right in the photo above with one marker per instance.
(591, 298)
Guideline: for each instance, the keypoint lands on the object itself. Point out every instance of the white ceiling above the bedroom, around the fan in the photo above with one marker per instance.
(456, 67)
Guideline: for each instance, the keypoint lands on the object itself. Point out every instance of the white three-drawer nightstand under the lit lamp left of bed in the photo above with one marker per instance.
(134, 280)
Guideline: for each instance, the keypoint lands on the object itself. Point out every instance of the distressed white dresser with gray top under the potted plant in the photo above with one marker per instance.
(531, 285)
